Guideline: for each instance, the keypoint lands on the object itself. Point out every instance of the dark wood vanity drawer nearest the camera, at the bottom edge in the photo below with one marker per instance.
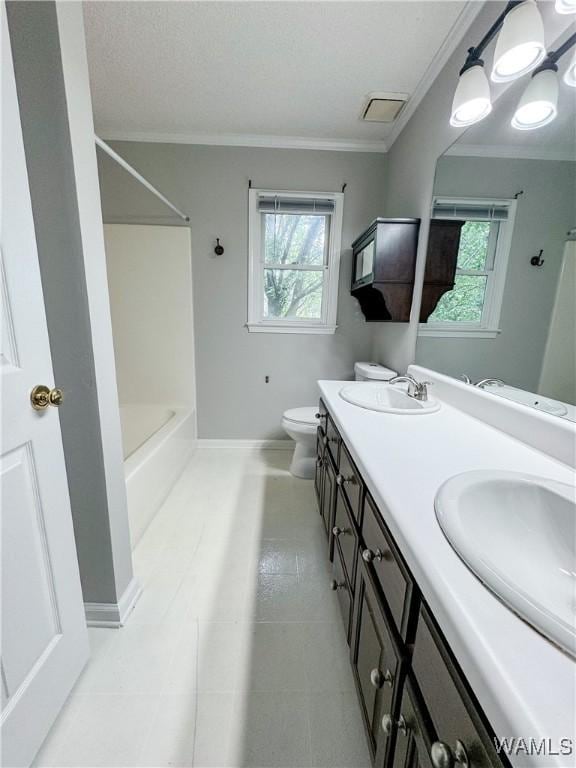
(454, 713)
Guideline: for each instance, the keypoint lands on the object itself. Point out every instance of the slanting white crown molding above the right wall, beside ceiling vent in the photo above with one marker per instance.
(449, 45)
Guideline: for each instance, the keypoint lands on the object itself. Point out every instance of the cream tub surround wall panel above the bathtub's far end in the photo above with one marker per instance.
(150, 283)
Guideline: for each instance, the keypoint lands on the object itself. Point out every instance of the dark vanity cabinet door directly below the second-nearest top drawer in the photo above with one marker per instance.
(375, 661)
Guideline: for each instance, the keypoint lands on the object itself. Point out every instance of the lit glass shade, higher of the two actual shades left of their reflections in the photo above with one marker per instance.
(520, 46)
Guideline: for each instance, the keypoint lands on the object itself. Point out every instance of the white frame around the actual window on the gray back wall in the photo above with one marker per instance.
(256, 322)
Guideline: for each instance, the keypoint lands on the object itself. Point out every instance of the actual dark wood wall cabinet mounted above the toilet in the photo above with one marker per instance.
(384, 263)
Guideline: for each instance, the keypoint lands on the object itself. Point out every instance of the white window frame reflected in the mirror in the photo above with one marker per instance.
(489, 326)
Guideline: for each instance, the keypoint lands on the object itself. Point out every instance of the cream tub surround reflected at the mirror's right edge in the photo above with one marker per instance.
(559, 368)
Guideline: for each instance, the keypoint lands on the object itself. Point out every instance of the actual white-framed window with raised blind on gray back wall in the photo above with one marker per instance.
(294, 245)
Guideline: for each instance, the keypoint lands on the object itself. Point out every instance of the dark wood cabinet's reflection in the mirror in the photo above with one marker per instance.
(441, 261)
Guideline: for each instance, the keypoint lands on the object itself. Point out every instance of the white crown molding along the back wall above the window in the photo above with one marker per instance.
(248, 140)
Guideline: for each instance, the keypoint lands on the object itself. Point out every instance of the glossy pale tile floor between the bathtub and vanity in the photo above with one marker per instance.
(235, 653)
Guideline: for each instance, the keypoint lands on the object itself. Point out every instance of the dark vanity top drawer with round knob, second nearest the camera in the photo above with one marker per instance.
(390, 572)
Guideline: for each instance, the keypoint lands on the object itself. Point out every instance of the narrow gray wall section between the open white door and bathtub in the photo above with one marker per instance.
(42, 99)
